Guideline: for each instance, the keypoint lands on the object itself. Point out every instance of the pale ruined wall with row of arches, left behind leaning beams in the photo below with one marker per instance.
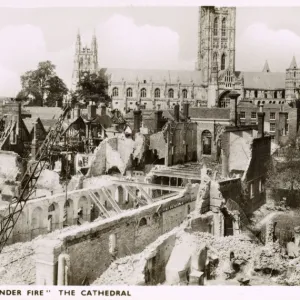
(34, 219)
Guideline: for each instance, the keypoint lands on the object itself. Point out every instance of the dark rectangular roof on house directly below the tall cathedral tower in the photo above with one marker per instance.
(209, 113)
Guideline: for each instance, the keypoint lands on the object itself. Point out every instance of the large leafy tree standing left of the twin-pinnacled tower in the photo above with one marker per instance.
(43, 84)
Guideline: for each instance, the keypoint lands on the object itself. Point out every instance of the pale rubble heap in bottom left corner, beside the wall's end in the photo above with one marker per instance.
(17, 264)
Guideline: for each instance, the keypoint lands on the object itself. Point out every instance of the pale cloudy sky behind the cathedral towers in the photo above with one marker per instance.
(137, 37)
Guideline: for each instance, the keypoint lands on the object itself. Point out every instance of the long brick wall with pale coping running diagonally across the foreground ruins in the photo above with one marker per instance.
(88, 245)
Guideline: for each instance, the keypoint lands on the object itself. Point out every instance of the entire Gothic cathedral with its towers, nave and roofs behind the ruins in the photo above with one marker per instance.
(209, 85)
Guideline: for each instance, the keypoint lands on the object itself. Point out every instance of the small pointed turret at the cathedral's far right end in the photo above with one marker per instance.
(292, 81)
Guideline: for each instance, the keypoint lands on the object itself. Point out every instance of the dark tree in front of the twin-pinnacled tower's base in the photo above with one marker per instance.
(93, 87)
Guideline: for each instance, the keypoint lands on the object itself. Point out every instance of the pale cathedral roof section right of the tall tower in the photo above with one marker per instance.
(264, 80)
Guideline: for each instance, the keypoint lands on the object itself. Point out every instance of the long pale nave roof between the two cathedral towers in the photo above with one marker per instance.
(170, 76)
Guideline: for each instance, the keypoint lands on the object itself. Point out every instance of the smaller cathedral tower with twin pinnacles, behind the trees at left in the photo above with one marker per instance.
(85, 59)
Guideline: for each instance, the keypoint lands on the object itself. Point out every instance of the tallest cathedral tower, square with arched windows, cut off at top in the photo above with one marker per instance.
(216, 40)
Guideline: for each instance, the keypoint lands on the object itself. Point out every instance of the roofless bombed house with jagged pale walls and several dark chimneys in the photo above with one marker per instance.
(171, 142)
